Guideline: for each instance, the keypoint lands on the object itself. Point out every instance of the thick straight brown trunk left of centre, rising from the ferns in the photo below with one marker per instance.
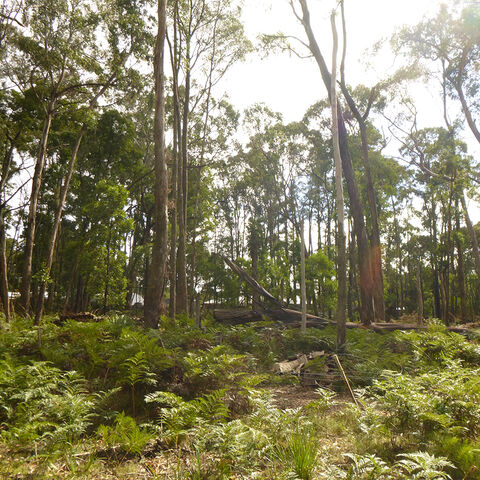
(156, 281)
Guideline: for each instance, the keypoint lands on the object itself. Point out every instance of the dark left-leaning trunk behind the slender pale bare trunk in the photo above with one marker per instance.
(366, 284)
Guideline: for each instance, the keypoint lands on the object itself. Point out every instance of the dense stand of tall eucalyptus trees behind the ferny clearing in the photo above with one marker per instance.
(77, 210)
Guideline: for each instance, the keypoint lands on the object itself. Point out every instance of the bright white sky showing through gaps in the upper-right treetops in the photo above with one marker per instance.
(289, 85)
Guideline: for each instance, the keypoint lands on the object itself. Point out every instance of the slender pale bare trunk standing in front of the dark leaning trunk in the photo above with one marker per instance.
(340, 315)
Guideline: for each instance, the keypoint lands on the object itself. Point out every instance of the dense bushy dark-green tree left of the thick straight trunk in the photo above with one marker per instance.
(92, 238)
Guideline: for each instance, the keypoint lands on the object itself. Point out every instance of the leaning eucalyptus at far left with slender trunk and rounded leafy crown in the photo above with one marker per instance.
(52, 55)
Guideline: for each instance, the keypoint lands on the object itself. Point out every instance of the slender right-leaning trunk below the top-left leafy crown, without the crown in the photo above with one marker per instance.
(32, 211)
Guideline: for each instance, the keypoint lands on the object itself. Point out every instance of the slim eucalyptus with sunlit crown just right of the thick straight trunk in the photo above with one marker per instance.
(208, 38)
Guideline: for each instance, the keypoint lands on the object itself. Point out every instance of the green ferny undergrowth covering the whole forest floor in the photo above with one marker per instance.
(111, 399)
